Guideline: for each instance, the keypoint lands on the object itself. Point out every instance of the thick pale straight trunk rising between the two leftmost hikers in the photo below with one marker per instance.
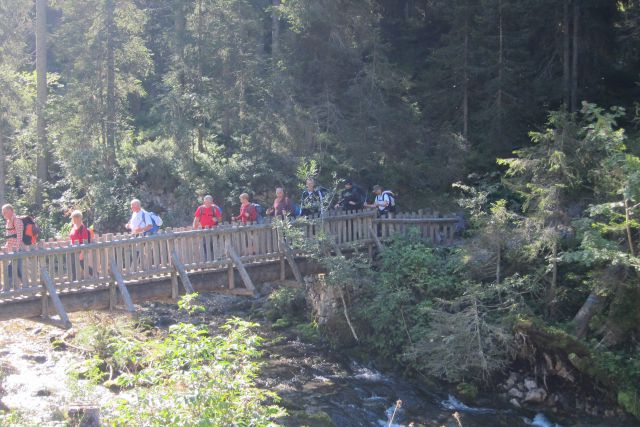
(41, 99)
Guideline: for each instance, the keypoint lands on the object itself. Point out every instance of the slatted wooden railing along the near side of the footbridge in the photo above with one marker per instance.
(91, 266)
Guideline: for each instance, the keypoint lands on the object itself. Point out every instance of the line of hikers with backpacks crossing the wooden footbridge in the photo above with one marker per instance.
(22, 231)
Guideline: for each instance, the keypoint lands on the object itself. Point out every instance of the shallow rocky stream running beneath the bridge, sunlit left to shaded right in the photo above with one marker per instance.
(318, 386)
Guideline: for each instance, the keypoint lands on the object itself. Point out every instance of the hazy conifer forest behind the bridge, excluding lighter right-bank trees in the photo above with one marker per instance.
(168, 100)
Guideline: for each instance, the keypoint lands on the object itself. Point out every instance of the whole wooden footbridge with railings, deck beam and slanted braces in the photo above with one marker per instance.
(57, 277)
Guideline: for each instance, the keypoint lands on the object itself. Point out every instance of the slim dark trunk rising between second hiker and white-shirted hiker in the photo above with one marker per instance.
(110, 124)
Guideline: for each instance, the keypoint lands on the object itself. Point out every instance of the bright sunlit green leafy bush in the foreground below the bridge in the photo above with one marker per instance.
(188, 377)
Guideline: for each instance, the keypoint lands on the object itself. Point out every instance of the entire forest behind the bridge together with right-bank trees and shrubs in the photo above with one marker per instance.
(524, 112)
